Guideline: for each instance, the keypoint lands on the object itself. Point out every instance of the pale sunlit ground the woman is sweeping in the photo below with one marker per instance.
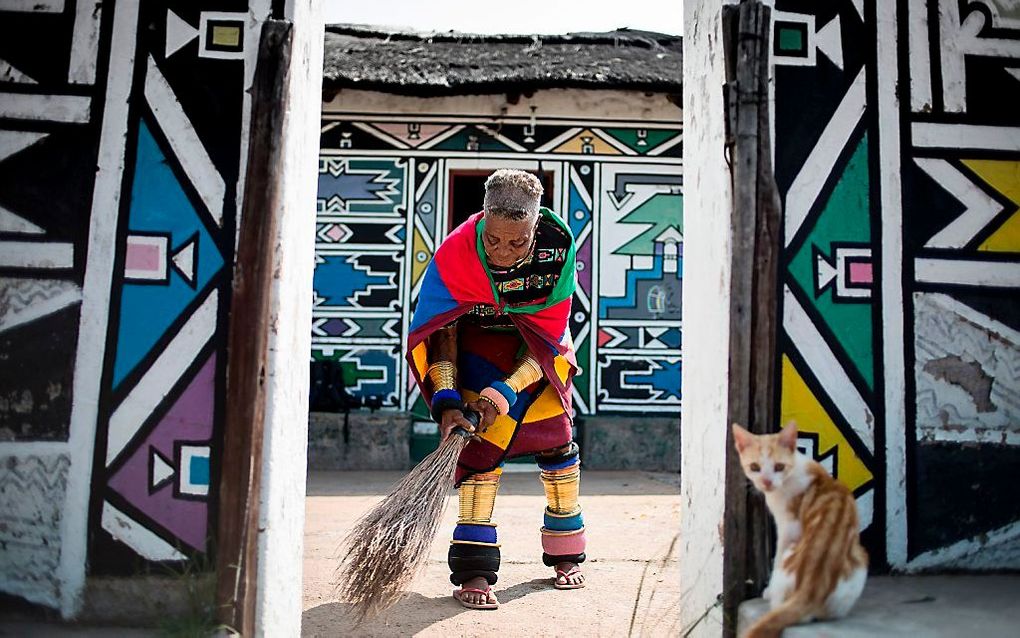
(632, 521)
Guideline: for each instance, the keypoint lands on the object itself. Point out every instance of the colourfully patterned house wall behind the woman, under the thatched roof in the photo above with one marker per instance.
(390, 193)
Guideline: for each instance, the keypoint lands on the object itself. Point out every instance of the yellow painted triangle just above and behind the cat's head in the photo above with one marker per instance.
(800, 405)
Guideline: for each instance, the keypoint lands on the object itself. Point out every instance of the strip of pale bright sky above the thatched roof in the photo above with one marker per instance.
(515, 17)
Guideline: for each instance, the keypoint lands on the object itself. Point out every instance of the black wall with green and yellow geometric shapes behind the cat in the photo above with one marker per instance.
(898, 158)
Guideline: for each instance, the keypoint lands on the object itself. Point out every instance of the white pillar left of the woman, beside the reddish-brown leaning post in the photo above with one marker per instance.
(282, 510)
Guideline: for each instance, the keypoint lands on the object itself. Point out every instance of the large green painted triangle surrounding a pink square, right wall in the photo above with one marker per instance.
(846, 218)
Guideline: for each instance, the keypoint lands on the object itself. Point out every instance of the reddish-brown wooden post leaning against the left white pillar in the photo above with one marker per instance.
(241, 472)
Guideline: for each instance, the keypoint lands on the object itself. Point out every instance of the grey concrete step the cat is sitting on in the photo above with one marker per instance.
(929, 607)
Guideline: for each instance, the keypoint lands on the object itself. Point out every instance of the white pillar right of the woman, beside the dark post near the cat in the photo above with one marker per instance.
(707, 203)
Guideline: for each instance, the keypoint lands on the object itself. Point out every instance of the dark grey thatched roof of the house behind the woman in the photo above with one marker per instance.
(453, 64)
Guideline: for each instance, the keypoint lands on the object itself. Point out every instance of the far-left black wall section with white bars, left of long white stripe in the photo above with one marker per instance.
(52, 78)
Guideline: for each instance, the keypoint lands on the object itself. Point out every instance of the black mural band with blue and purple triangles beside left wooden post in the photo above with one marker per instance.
(164, 371)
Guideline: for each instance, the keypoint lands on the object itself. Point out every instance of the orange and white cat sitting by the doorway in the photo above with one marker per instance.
(821, 567)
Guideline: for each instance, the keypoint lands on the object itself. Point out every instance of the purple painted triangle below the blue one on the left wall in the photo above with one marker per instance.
(189, 420)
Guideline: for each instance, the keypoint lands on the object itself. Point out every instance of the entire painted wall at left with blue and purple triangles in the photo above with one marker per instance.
(122, 142)
